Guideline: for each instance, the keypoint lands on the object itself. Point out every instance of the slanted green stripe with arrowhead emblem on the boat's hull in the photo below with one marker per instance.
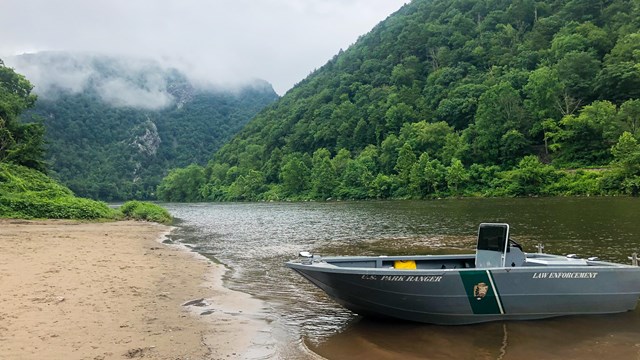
(481, 291)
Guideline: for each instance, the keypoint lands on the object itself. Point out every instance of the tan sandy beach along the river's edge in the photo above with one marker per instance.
(74, 290)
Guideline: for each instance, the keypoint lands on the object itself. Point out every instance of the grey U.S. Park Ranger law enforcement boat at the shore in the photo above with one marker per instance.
(499, 282)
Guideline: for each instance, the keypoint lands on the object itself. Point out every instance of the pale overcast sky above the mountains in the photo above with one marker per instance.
(280, 41)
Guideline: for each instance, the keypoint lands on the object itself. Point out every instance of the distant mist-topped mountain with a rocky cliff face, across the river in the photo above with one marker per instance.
(115, 126)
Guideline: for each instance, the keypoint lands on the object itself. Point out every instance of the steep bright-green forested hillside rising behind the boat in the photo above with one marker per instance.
(449, 98)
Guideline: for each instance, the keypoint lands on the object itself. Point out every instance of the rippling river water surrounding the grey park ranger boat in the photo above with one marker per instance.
(254, 240)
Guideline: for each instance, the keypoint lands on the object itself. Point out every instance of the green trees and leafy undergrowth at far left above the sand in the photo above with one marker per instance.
(25, 191)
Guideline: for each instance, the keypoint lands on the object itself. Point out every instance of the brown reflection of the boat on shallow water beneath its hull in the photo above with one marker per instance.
(592, 337)
